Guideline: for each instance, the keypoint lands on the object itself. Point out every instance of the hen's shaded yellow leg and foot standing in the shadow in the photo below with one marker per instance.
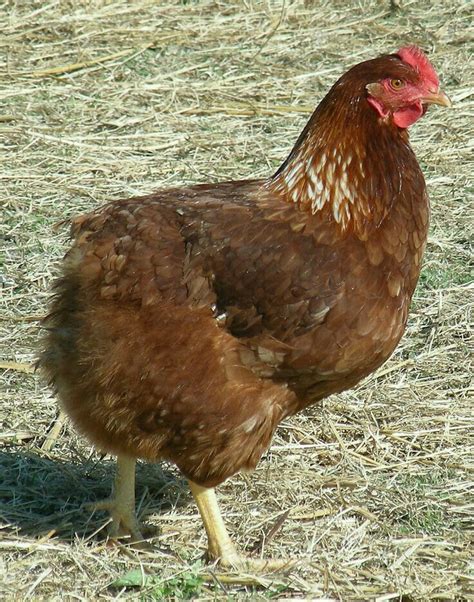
(121, 505)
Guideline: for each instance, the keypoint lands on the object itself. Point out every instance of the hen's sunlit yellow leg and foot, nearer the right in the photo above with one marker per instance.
(220, 546)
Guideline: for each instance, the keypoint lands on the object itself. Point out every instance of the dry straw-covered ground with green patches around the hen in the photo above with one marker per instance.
(105, 99)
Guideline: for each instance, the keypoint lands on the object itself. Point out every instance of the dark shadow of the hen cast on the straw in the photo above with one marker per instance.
(39, 495)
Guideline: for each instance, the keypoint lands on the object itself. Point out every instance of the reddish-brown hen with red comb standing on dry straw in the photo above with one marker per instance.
(187, 324)
